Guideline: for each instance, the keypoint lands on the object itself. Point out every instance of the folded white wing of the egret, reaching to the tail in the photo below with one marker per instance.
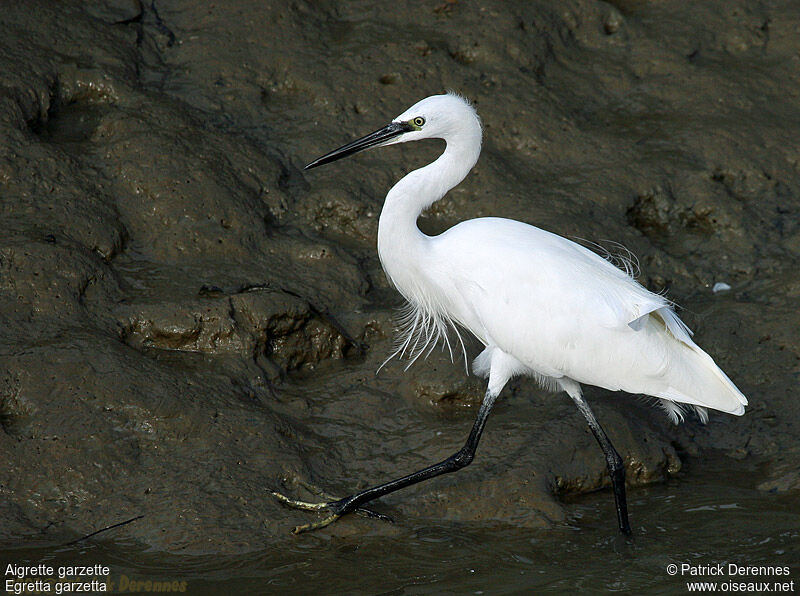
(564, 311)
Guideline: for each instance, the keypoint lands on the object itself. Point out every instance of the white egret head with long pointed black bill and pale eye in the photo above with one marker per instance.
(435, 117)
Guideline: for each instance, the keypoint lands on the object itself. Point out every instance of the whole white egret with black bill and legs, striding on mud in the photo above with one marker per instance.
(542, 306)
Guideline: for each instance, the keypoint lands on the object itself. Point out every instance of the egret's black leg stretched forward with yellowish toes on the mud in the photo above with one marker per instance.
(461, 458)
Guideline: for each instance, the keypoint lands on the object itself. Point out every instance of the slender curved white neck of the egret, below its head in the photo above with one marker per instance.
(401, 244)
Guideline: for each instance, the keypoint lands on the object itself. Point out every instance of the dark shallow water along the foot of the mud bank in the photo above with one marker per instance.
(708, 517)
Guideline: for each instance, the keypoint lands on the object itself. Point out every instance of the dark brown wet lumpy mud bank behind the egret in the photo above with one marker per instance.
(188, 319)
